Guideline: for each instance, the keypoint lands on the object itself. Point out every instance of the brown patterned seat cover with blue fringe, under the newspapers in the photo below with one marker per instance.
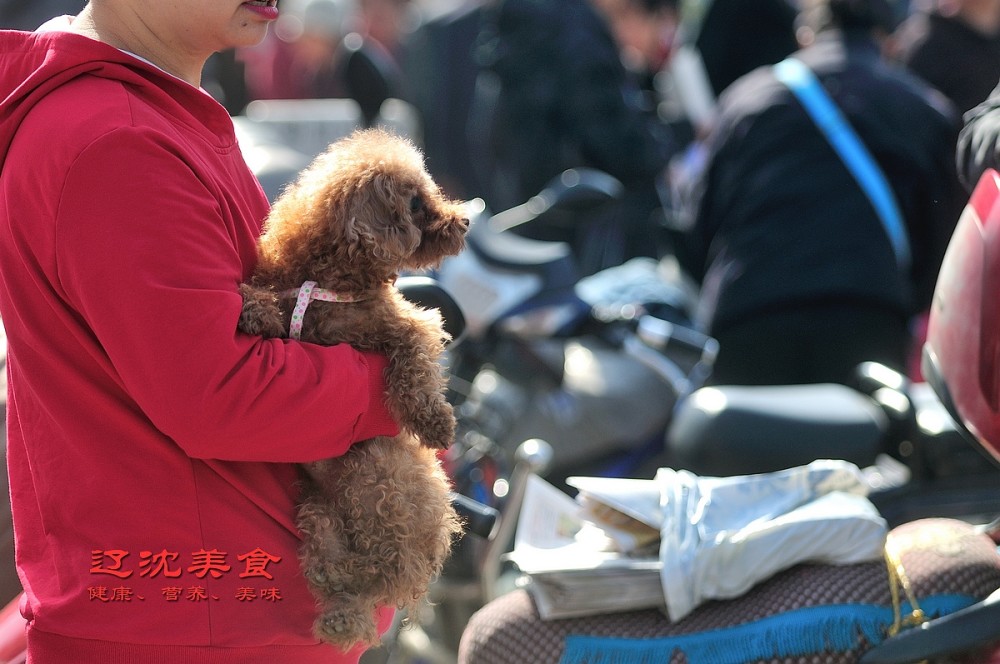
(810, 614)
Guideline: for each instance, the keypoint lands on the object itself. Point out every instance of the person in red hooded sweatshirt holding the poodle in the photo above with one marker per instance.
(152, 447)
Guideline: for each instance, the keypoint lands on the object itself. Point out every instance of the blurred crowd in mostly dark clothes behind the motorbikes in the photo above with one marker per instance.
(673, 98)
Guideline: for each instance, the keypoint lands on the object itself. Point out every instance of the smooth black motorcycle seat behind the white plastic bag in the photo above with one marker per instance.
(737, 430)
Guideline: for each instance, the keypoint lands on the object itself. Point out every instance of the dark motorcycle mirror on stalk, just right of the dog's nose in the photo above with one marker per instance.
(573, 190)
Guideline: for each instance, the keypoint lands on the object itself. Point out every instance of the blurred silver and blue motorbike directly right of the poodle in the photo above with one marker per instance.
(549, 355)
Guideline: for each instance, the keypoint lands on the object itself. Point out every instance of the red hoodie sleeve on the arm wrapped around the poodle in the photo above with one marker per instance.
(148, 253)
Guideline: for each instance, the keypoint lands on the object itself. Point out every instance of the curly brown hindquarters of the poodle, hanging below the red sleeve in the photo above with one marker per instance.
(379, 536)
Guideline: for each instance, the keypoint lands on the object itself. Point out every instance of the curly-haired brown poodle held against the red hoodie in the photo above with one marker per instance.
(378, 521)
